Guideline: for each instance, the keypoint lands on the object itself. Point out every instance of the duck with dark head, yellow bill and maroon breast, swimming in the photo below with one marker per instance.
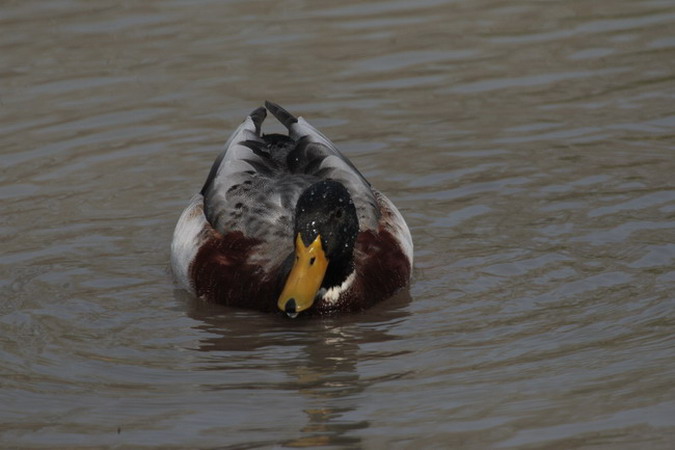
(286, 223)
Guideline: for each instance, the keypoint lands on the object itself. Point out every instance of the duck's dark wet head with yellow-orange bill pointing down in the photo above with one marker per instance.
(326, 226)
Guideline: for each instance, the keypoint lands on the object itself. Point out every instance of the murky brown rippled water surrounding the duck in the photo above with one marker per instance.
(529, 145)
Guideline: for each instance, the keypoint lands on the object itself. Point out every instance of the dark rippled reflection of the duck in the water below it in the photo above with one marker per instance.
(309, 374)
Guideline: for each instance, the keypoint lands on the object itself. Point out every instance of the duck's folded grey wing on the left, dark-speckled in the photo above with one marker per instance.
(241, 192)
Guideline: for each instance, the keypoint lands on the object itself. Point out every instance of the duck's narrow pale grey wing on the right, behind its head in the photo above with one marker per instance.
(316, 156)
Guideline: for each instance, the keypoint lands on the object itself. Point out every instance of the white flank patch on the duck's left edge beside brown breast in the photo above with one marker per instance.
(187, 240)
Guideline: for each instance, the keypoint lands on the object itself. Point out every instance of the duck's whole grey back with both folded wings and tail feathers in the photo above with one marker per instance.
(255, 182)
